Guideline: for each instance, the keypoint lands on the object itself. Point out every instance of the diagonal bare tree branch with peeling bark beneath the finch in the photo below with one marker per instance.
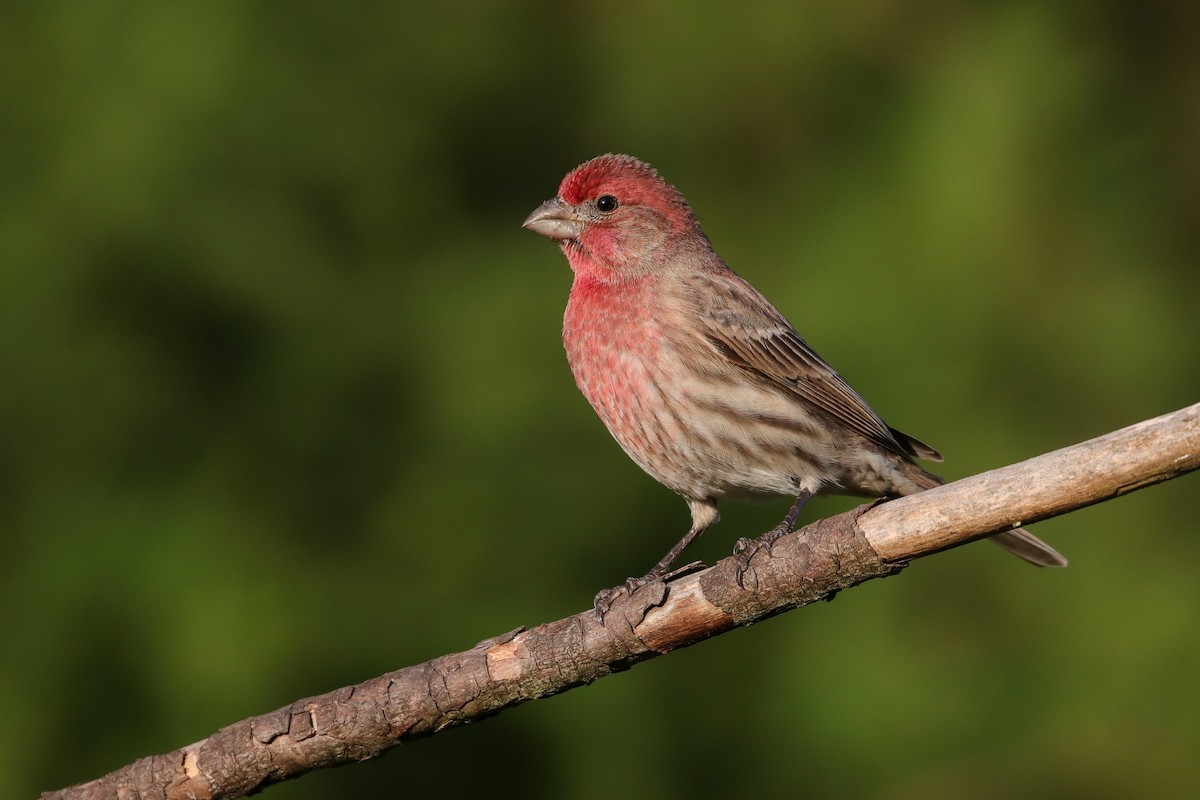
(359, 723)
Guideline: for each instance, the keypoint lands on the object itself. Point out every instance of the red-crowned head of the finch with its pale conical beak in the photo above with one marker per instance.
(614, 216)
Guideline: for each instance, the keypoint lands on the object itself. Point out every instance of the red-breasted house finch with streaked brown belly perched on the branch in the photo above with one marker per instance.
(698, 377)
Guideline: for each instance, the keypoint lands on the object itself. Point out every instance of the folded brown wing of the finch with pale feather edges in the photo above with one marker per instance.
(749, 332)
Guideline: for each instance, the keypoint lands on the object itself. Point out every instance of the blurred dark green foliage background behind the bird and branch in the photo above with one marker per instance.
(284, 404)
